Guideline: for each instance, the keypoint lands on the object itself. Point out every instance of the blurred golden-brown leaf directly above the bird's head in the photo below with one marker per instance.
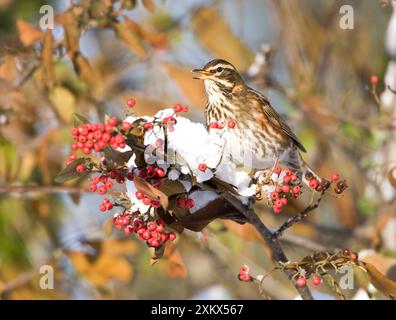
(214, 33)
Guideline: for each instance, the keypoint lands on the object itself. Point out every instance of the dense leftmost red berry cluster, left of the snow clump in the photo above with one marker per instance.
(97, 136)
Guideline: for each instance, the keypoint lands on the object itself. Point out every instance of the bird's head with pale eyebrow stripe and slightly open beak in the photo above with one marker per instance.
(219, 73)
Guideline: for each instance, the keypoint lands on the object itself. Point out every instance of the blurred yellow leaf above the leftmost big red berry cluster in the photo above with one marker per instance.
(64, 102)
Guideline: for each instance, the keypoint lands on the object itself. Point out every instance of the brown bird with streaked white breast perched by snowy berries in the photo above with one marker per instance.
(261, 136)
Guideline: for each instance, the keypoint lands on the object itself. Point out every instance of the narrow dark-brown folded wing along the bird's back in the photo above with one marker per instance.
(275, 118)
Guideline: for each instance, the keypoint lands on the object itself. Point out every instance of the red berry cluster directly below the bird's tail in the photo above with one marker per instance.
(290, 186)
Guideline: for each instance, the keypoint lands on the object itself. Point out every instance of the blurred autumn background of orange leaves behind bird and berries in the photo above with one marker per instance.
(100, 53)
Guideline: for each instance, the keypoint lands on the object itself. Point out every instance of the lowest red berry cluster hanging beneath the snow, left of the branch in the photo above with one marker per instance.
(153, 232)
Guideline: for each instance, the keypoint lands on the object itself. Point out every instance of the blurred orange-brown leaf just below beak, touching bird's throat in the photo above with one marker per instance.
(193, 89)
